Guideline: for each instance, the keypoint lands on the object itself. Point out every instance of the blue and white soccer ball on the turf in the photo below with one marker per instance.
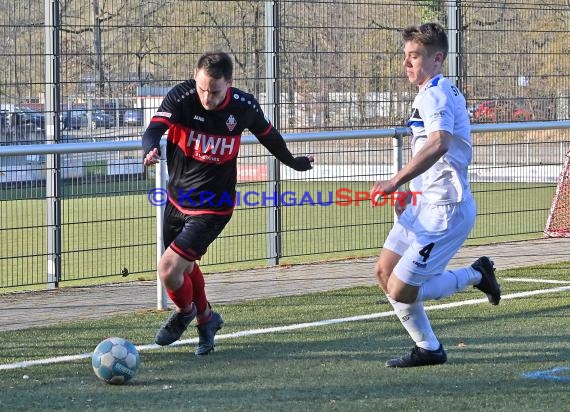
(115, 360)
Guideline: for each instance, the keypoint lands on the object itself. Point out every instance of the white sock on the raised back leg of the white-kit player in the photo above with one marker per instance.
(448, 283)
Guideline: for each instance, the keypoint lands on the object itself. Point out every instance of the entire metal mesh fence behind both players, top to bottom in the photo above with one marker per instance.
(89, 71)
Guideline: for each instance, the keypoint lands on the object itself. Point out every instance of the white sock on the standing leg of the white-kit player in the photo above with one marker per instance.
(415, 321)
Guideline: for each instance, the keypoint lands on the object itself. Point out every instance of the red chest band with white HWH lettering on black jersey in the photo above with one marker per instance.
(204, 148)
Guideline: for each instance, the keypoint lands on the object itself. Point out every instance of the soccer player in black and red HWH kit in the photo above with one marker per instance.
(205, 118)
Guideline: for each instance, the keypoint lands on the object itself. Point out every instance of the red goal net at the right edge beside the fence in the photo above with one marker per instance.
(558, 223)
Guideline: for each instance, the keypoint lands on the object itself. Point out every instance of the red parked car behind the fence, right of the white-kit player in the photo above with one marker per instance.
(502, 110)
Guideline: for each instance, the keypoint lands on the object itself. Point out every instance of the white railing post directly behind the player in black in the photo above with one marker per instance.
(160, 182)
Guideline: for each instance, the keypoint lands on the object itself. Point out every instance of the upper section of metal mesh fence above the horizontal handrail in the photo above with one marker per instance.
(94, 66)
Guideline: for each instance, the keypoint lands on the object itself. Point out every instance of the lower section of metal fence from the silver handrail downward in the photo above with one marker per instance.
(107, 220)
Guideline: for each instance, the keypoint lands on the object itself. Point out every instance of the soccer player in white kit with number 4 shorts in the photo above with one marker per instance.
(412, 264)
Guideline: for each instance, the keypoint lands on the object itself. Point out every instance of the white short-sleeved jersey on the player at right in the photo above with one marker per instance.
(439, 105)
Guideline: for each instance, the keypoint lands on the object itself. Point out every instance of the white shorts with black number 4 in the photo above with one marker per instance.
(427, 237)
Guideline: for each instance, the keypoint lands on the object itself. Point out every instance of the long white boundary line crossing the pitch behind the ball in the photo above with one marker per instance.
(251, 332)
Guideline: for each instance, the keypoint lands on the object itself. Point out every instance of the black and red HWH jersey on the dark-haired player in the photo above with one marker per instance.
(202, 146)
